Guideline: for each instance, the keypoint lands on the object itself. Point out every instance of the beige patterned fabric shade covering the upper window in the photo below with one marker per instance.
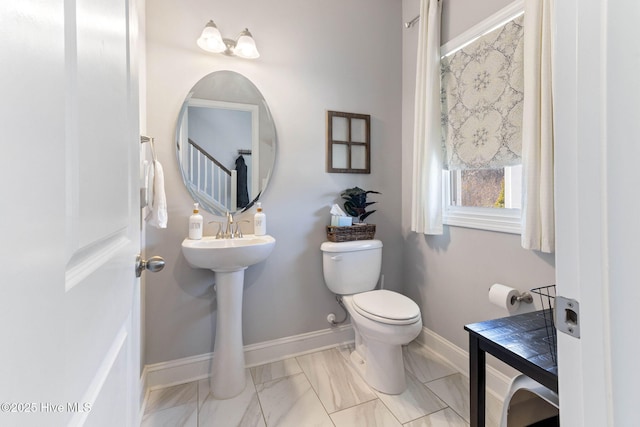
(482, 93)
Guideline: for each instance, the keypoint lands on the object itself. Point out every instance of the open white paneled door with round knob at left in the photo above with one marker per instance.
(69, 217)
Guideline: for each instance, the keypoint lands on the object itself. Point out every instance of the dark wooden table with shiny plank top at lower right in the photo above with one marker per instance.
(522, 341)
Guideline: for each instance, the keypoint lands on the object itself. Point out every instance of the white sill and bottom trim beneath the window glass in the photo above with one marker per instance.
(490, 219)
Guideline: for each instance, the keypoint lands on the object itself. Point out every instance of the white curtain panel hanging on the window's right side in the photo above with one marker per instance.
(538, 225)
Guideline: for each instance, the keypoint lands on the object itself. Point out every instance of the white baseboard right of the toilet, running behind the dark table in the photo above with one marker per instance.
(497, 382)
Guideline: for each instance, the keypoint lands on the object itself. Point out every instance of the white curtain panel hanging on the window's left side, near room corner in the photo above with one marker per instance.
(426, 200)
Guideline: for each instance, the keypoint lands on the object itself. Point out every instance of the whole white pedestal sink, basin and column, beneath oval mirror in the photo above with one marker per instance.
(228, 258)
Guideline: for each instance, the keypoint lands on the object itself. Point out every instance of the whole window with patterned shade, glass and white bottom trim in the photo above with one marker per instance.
(483, 186)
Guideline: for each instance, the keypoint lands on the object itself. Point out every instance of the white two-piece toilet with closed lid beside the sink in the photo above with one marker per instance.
(383, 320)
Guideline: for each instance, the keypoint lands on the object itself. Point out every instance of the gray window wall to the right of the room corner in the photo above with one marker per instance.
(450, 275)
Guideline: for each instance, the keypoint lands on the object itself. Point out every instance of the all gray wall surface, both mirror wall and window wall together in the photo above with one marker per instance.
(309, 64)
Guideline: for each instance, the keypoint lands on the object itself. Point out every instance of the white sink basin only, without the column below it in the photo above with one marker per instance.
(225, 255)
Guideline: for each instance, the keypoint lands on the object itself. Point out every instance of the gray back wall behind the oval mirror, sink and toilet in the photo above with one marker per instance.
(316, 56)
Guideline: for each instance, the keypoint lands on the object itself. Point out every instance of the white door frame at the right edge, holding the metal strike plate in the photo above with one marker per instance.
(598, 227)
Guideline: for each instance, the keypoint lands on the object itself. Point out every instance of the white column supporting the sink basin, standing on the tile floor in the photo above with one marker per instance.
(228, 371)
